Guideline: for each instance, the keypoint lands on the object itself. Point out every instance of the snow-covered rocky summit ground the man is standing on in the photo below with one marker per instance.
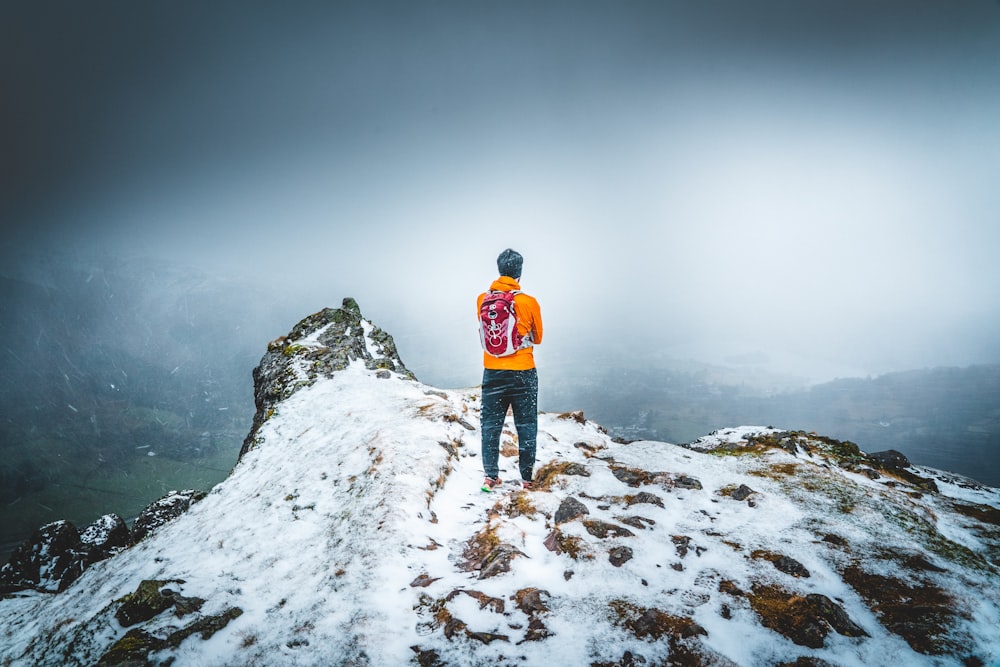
(354, 533)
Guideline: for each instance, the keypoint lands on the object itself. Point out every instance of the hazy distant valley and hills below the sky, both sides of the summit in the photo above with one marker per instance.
(125, 380)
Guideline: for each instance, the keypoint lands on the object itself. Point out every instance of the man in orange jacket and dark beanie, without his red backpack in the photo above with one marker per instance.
(511, 380)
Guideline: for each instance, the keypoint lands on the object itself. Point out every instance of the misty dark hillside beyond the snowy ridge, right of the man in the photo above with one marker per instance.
(947, 418)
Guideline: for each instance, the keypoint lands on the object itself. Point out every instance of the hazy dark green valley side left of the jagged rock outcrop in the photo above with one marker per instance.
(120, 382)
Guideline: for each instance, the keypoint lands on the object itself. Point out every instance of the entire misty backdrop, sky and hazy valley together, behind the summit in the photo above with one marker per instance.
(718, 203)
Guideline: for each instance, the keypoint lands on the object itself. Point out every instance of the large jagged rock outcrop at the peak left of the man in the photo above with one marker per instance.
(319, 346)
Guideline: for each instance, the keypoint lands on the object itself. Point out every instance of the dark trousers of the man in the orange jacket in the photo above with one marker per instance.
(519, 391)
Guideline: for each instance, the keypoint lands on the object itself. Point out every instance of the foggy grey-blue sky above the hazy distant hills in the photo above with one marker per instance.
(814, 183)
